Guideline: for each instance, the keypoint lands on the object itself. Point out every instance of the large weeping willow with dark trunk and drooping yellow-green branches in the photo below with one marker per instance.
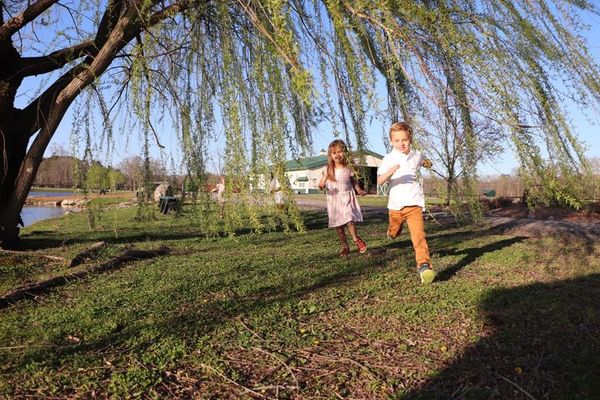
(268, 69)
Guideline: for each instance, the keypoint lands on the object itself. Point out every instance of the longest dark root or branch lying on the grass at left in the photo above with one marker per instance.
(113, 263)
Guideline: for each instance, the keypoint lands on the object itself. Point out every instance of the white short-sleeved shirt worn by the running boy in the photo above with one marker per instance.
(405, 184)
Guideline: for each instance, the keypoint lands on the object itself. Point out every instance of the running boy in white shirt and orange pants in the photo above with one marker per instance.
(406, 201)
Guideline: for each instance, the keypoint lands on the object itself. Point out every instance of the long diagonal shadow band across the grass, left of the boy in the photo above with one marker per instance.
(194, 309)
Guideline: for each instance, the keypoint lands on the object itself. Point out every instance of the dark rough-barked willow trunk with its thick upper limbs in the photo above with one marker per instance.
(19, 161)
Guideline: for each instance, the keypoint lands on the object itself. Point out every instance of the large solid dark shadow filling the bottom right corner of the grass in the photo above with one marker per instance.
(543, 344)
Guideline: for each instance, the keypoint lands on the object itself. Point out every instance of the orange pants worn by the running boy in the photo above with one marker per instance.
(413, 216)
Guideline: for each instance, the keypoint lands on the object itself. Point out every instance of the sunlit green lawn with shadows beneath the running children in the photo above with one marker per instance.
(281, 315)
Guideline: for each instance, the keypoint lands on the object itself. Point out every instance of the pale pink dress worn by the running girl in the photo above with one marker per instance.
(342, 206)
